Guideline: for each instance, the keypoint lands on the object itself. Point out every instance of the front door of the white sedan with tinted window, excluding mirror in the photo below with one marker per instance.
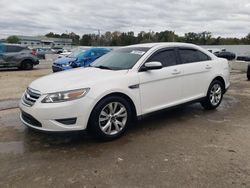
(161, 88)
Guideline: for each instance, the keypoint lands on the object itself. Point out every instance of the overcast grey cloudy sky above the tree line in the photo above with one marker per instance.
(229, 18)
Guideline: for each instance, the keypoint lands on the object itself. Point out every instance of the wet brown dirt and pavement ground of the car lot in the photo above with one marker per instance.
(182, 147)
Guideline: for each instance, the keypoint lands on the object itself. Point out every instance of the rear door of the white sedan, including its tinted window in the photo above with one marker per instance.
(196, 70)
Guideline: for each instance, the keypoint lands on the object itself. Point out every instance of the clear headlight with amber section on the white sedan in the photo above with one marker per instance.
(65, 96)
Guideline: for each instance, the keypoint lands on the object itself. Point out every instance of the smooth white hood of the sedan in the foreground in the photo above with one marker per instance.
(74, 79)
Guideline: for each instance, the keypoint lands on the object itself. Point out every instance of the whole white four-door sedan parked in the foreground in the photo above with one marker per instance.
(129, 82)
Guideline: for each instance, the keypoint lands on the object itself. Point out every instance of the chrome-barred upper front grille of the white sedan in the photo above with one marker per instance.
(30, 97)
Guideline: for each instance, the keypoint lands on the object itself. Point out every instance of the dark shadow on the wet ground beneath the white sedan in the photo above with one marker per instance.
(153, 121)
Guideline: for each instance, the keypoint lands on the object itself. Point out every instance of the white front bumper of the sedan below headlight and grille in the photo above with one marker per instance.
(45, 117)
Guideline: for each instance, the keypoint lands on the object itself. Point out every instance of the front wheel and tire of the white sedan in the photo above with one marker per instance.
(110, 118)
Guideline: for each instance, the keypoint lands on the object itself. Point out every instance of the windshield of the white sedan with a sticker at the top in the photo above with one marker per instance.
(120, 59)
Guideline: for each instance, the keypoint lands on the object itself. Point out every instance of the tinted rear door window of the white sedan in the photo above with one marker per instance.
(192, 56)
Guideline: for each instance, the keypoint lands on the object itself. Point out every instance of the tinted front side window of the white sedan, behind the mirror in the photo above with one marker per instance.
(167, 58)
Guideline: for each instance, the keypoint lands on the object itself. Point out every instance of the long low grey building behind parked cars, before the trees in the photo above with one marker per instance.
(42, 41)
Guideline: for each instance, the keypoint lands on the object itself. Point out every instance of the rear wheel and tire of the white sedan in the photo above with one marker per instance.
(214, 95)
